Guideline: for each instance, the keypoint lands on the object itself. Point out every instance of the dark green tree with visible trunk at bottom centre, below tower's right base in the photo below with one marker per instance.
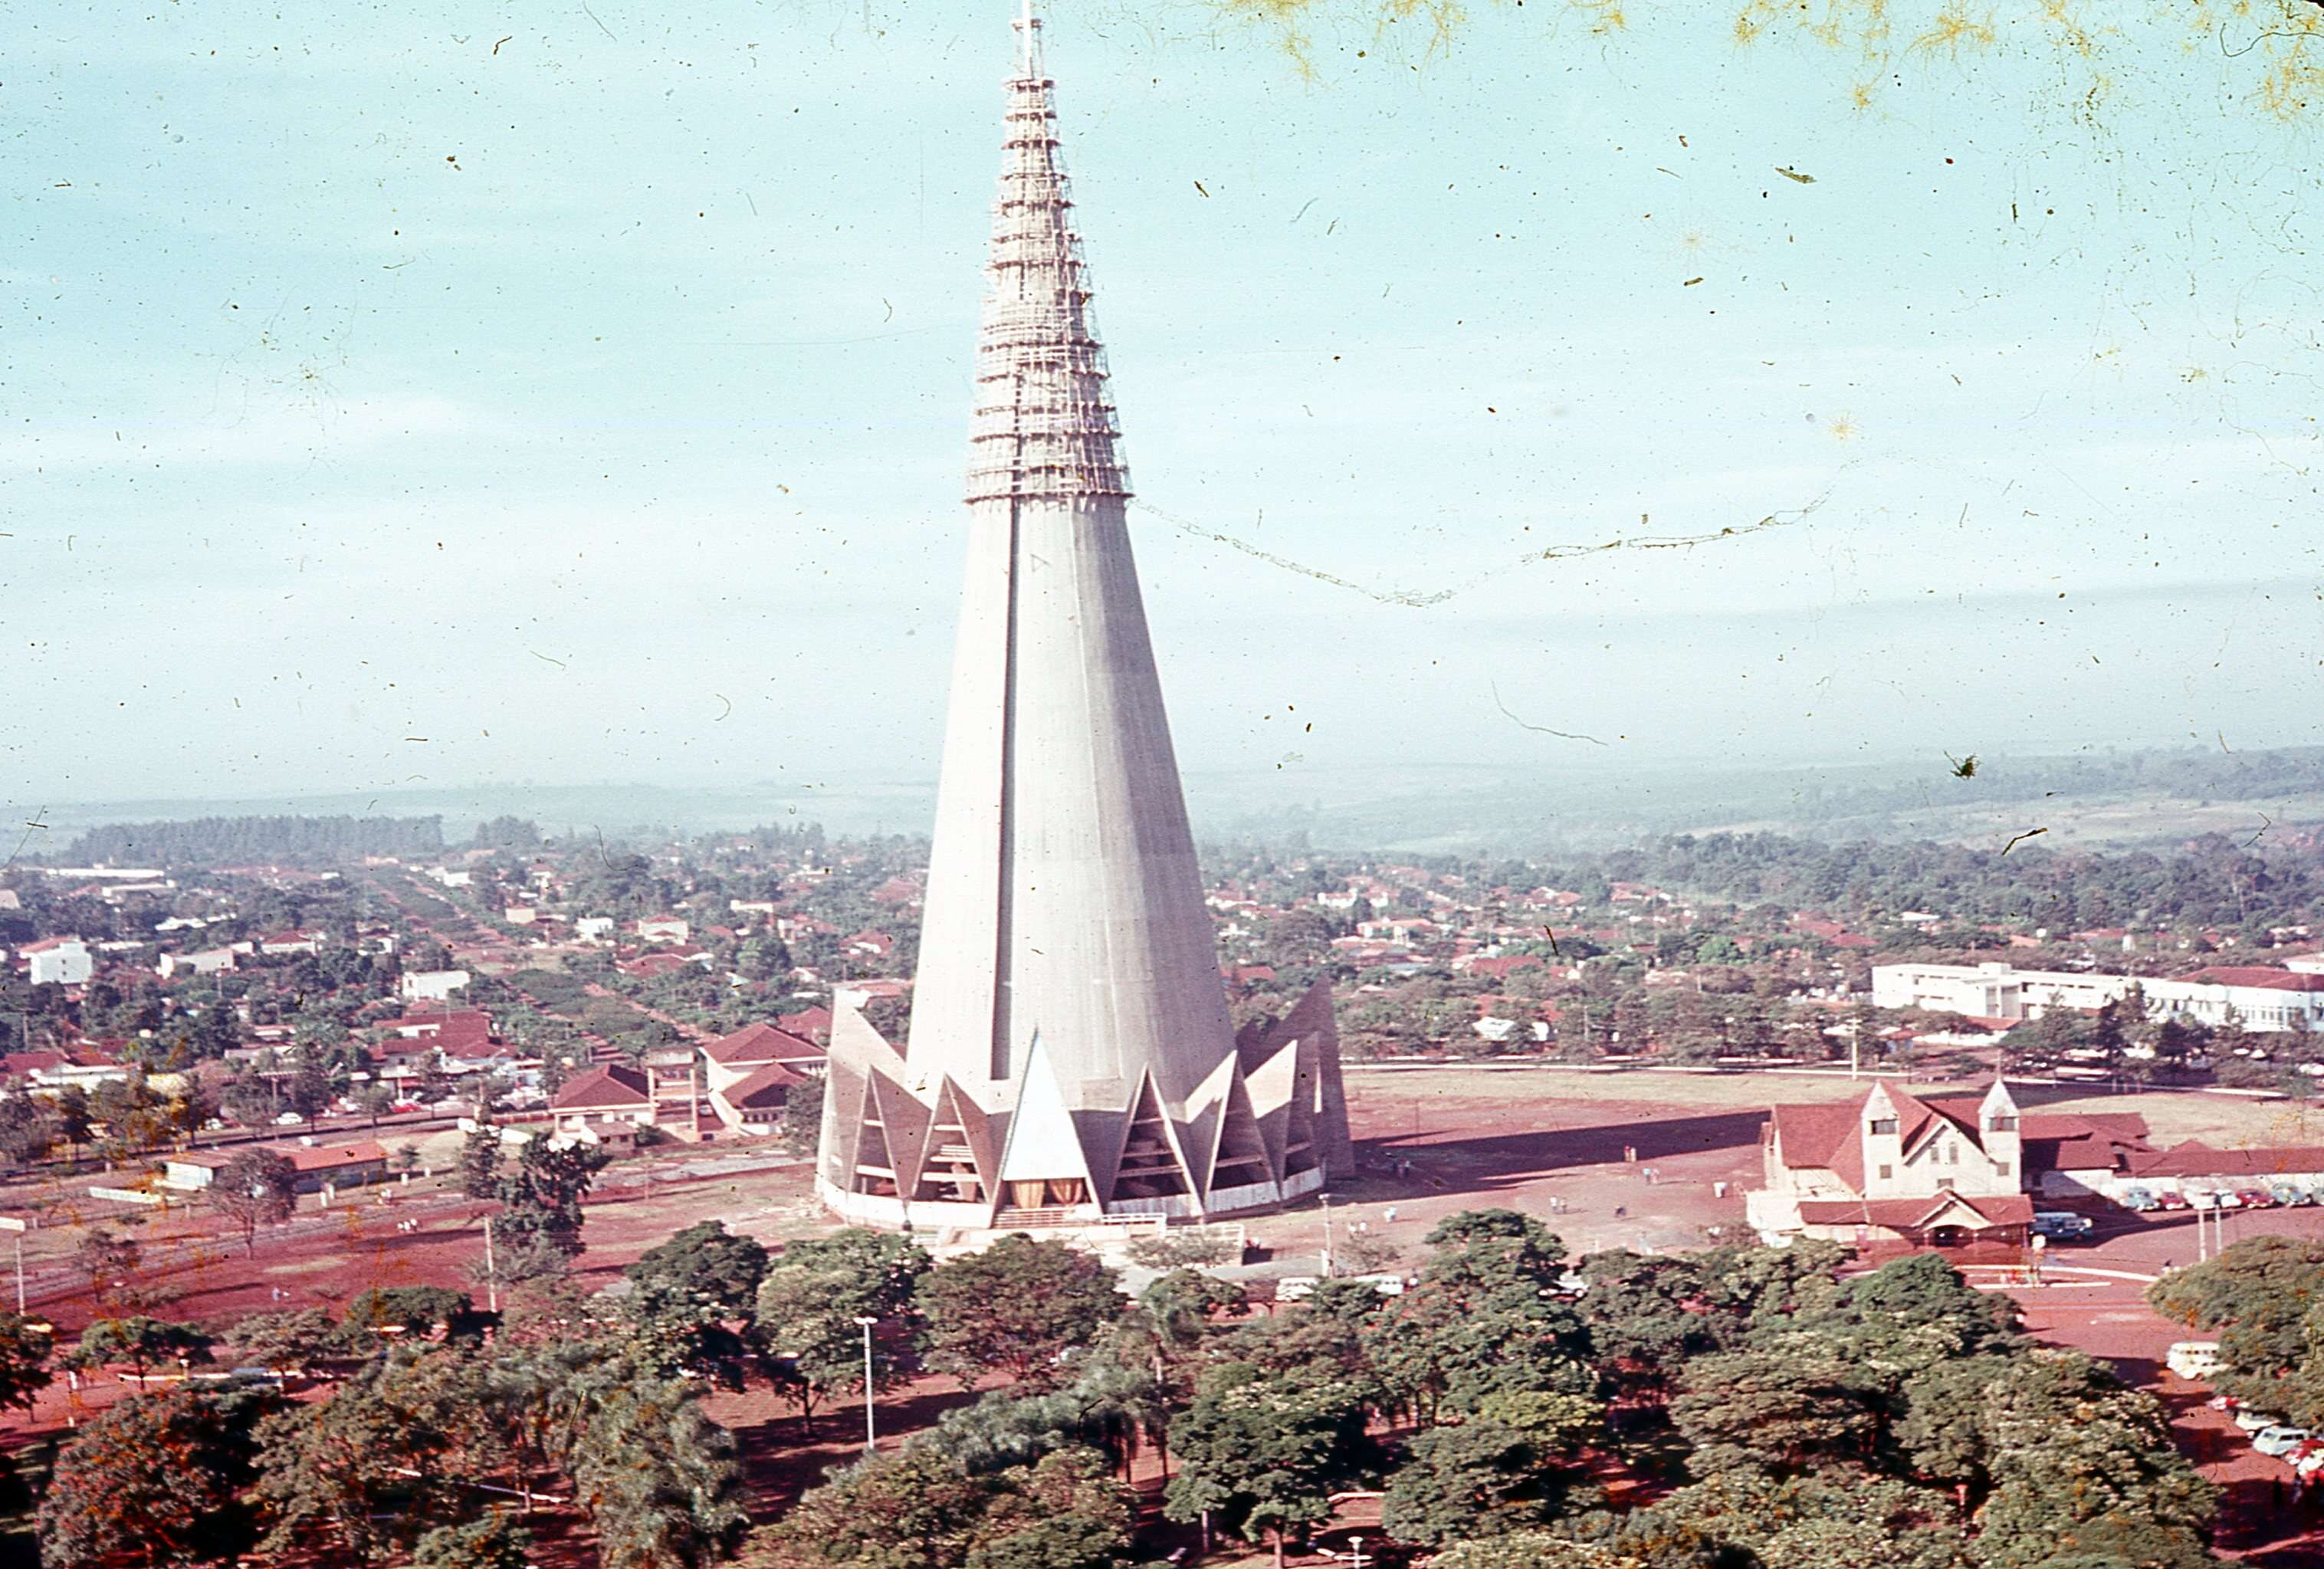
(1265, 1452)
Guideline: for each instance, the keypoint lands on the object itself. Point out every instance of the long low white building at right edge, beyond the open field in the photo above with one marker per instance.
(2258, 996)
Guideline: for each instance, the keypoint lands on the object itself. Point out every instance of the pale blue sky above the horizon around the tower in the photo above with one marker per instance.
(587, 394)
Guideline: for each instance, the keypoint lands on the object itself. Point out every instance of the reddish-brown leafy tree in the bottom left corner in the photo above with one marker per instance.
(155, 1480)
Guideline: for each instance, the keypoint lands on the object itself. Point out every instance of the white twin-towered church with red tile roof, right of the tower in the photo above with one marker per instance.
(1895, 1168)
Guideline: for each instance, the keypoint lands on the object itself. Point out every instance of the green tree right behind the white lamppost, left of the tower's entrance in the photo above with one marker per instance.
(812, 1298)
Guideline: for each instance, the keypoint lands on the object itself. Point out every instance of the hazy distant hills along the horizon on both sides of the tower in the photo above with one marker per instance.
(2123, 798)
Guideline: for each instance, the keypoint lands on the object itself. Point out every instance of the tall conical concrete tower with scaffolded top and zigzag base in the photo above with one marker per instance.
(1068, 994)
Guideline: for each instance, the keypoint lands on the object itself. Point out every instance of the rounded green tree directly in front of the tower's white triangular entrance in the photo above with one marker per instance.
(1019, 1305)
